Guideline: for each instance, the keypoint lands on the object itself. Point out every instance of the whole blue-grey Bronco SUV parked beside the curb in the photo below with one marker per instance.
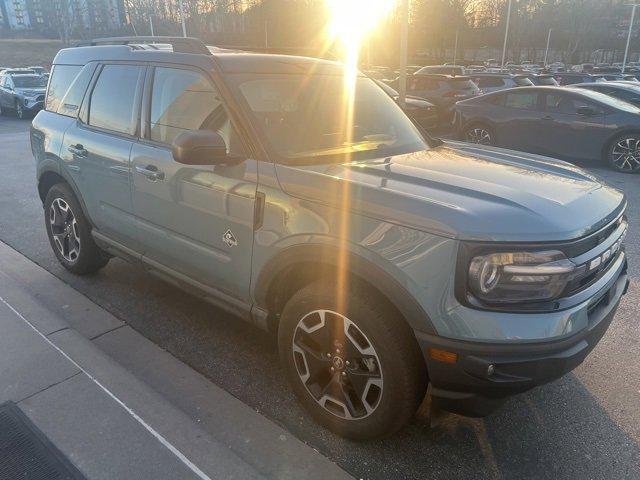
(383, 259)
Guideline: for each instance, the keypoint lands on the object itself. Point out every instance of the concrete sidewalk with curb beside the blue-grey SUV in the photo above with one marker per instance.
(119, 407)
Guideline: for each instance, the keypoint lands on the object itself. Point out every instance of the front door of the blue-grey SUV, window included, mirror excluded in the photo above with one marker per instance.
(196, 220)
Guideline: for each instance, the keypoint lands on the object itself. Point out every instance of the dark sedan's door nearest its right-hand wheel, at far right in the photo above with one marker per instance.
(570, 134)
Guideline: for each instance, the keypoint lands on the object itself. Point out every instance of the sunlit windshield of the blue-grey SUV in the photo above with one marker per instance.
(304, 118)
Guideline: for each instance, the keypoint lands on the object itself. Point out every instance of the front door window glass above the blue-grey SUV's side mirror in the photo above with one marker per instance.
(184, 100)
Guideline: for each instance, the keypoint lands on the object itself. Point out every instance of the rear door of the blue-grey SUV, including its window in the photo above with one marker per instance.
(96, 149)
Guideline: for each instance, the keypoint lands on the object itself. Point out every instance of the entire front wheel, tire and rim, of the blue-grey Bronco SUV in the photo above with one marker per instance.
(378, 363)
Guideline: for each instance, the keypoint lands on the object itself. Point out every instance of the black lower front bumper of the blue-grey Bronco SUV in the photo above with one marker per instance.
(471, 387)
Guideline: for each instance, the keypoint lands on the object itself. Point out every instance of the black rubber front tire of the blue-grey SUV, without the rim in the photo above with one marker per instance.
(403, 371)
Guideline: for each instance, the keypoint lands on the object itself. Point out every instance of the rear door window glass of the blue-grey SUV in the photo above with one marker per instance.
(115, 97)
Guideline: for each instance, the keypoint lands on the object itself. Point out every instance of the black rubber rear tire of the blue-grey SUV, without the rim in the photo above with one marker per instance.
(90, 257)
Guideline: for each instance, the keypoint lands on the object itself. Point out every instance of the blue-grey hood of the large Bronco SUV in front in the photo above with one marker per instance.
(466, 192)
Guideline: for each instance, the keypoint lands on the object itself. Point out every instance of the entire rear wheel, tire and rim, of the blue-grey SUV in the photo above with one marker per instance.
(69, 232)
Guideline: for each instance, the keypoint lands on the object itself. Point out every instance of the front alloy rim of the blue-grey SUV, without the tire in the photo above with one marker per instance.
(337, 364)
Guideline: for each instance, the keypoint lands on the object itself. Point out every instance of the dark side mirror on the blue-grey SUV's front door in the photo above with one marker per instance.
(199, 147)
